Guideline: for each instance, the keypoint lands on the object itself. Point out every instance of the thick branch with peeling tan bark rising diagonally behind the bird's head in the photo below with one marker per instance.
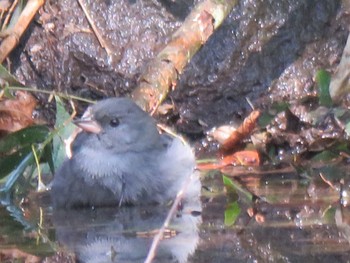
(162, 73)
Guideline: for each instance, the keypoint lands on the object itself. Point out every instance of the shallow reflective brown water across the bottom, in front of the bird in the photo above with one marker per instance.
(292, 219)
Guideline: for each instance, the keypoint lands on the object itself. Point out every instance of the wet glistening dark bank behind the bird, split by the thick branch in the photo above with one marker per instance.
(264, 49)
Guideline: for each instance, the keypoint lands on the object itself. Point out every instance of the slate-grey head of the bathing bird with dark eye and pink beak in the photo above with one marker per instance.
(119, 125)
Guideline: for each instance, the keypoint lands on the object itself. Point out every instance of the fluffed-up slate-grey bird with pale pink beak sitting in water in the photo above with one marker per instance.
(121, 158)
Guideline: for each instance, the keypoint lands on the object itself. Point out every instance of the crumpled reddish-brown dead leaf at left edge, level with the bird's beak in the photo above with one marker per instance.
(16, 114)
